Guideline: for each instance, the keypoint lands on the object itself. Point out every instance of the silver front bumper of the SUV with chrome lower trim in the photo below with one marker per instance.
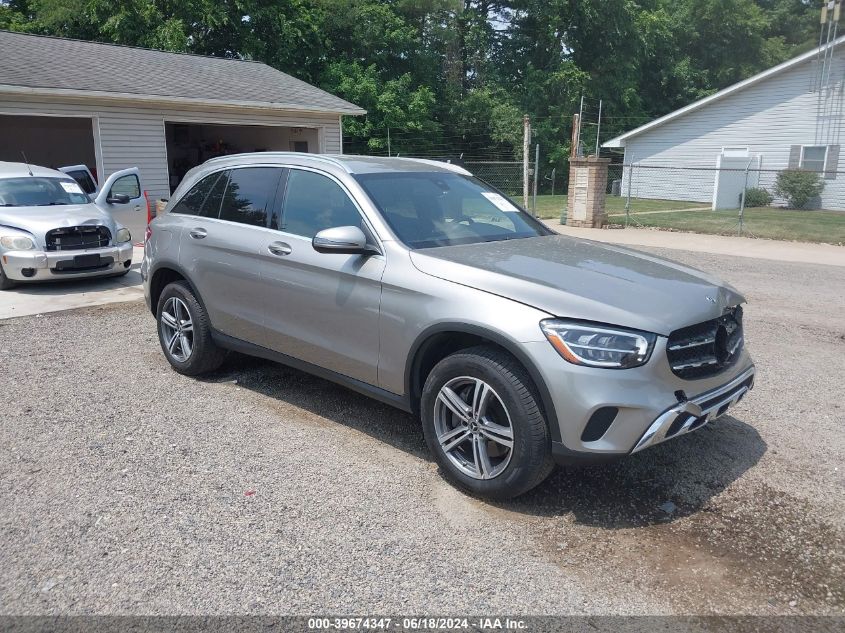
(644, 402)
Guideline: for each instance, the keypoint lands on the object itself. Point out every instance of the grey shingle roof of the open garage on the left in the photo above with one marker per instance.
(38, 63)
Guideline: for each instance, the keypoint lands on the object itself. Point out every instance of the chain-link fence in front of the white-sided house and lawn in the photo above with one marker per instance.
(749, 200)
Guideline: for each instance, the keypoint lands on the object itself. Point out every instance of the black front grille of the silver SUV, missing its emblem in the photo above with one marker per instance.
(705, 349)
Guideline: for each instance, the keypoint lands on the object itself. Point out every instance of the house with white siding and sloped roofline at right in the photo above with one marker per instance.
(790, 116)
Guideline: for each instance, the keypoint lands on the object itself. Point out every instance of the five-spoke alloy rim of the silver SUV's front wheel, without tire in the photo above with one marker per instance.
(473, 427)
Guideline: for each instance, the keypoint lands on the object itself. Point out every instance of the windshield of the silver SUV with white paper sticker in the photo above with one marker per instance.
(444, 209)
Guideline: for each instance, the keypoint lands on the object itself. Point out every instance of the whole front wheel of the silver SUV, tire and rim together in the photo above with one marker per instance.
(483, 423)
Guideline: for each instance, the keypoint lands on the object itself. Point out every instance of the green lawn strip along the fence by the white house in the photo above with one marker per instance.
(767, 222)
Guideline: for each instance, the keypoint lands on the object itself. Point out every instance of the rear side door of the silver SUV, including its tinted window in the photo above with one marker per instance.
(221, 245)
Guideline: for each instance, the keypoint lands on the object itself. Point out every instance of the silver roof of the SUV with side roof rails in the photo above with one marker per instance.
(349, 163)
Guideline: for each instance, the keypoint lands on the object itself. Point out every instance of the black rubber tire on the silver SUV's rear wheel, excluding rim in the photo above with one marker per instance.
(204, 355)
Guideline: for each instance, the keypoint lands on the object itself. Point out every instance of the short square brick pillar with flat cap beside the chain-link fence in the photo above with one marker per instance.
(587, 191)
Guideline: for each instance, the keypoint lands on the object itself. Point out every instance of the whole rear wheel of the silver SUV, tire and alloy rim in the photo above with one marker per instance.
(184, 331)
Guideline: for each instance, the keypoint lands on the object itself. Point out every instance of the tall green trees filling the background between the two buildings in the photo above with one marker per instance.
(450, 77)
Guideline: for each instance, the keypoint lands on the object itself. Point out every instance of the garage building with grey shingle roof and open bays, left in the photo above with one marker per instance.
(67, 102)
